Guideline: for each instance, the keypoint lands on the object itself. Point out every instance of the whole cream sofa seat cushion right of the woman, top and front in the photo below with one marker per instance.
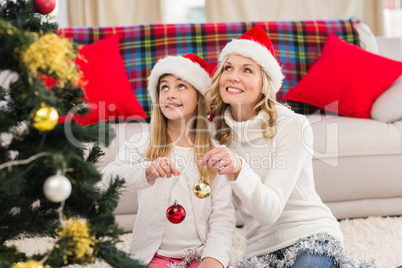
(356, 158)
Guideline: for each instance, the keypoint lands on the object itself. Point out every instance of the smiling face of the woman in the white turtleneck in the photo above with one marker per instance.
(241, 82)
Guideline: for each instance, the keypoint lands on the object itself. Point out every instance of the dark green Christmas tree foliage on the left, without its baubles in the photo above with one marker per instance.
(31, 156)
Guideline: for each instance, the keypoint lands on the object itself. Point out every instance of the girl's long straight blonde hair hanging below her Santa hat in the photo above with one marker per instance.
(160, 144)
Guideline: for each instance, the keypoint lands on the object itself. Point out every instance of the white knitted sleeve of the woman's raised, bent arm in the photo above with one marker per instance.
(265, 197)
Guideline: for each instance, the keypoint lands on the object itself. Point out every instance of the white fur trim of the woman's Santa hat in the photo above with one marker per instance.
(259, 54)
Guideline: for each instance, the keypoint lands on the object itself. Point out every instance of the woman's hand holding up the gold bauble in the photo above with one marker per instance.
(223, 161)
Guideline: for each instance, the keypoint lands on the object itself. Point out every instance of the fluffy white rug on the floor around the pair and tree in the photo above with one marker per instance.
(372, 238)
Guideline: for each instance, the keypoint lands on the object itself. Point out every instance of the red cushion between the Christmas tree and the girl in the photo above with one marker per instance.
(105, 84)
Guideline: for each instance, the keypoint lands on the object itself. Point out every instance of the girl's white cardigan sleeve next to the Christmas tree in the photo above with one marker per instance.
(130, 165)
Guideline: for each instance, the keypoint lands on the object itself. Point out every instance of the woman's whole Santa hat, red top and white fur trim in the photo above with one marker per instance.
(255, 44)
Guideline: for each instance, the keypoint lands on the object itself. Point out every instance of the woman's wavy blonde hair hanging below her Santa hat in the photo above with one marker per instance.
(267, 104)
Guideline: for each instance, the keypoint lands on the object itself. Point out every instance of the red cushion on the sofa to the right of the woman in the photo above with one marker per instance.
(346, 79)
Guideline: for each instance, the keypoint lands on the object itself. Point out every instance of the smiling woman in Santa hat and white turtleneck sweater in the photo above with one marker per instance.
(266, 151)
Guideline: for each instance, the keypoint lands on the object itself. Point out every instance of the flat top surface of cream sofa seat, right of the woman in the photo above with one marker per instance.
(339, 136)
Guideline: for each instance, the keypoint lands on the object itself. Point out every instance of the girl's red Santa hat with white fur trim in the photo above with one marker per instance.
(189, 68)
